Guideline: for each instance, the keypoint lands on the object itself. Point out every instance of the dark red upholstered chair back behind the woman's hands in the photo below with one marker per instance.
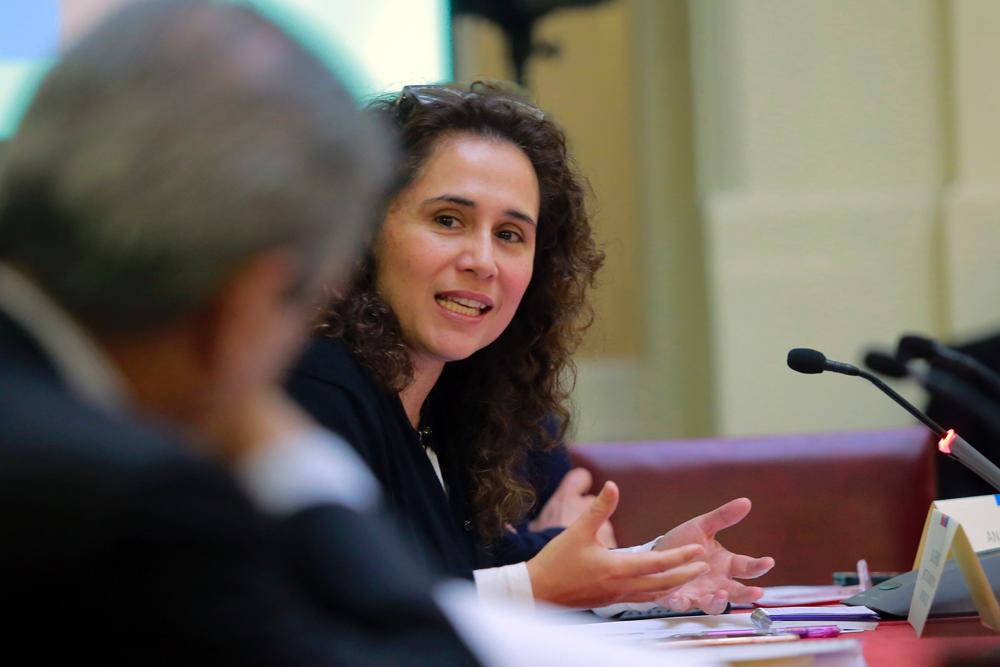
(821, 501)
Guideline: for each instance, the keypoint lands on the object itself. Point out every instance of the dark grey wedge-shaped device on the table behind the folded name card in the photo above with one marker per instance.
(891, 598)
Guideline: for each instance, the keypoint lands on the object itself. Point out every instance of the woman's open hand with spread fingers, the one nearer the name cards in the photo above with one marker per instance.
(717, 586)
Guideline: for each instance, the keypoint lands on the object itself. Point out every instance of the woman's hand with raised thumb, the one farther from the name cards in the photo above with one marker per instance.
(576, 570)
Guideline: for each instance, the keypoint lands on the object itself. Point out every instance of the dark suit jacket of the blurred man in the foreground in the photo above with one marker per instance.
(117, 543)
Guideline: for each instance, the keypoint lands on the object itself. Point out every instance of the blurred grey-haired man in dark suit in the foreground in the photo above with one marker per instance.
(184, 183)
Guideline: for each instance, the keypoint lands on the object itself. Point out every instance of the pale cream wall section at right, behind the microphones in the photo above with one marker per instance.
(848, 191)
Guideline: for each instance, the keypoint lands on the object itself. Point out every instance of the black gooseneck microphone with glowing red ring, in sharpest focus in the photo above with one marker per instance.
(805, 360)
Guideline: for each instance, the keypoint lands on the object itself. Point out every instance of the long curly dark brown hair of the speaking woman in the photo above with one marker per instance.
(529, 367)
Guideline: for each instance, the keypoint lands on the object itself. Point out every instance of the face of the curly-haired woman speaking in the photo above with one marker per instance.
(456, 251)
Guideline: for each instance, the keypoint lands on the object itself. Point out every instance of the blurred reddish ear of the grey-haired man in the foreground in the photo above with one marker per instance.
(250, 319)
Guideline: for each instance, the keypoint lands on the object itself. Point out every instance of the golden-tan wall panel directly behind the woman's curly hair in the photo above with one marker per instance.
(586, 90)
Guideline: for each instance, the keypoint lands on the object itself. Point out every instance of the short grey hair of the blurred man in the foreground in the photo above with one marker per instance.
(174, 144)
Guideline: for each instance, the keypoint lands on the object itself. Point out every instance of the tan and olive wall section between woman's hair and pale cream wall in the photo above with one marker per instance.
(641, 370)
